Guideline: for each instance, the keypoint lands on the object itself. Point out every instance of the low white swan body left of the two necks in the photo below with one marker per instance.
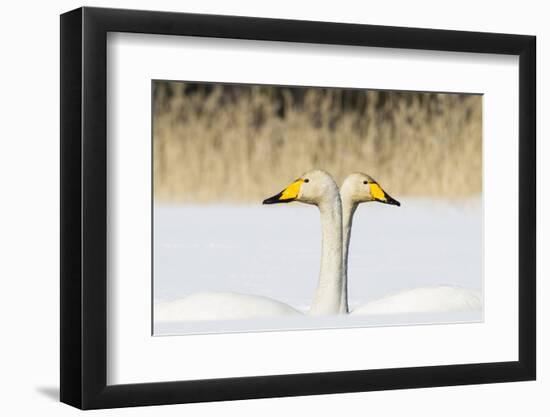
(221, 305)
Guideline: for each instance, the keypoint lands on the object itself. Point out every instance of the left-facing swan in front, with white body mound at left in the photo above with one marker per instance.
(317, 188)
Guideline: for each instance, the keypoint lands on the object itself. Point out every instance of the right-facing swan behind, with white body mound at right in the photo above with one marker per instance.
(358, 188)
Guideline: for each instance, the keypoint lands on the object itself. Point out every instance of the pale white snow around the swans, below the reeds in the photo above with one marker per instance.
(274, 251)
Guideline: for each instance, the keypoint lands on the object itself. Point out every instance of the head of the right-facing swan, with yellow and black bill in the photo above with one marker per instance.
(360, 188)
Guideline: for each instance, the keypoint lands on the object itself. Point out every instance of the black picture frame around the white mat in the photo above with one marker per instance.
(84, 207)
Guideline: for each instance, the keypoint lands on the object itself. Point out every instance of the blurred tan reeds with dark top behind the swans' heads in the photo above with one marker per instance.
(242, 143)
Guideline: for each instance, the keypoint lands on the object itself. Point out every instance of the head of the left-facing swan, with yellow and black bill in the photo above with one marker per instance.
(313, 187)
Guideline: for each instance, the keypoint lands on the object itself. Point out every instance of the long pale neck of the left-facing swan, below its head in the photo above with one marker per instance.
(328, 295)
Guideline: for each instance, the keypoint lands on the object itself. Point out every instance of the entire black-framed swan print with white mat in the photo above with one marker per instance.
(258, 207)
